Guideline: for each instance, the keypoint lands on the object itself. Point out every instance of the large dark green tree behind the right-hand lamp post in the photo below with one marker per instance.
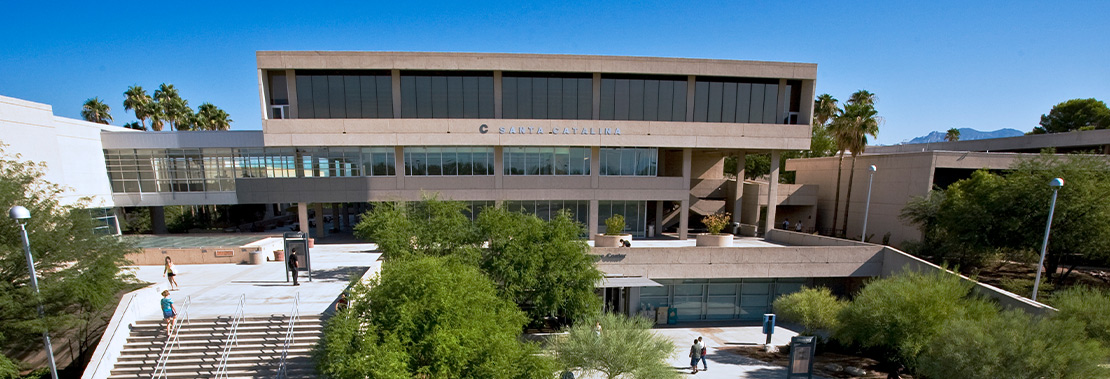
(998, 213)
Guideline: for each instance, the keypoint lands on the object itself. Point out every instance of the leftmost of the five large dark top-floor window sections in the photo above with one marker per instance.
(345, 95)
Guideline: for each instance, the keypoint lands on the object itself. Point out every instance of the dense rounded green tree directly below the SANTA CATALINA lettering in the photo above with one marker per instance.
(543, 266)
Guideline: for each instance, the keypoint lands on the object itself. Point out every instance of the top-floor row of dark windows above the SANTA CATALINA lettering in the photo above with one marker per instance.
(355, 94)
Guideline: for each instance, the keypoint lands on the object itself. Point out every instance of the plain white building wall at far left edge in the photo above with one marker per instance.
(70, 149)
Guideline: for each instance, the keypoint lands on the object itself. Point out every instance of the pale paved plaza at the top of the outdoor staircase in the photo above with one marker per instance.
(216, 290)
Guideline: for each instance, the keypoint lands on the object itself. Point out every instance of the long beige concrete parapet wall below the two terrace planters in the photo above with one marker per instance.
(707, 263)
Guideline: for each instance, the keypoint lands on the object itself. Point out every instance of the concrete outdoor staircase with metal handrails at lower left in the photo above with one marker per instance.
(258, 354)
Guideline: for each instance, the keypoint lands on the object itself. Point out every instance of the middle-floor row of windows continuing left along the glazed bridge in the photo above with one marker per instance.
(189, 171)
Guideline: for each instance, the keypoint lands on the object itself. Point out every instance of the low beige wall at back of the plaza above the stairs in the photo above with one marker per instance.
(205, 255)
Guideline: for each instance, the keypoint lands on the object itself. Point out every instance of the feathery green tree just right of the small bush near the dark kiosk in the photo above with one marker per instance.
(901, 315)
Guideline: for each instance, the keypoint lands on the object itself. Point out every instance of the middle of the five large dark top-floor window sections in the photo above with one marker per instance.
(548, 96)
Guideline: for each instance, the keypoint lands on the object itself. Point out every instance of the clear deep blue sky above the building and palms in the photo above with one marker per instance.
(936, 65)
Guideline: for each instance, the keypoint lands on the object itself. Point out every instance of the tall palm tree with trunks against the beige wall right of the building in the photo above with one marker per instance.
(852, 127)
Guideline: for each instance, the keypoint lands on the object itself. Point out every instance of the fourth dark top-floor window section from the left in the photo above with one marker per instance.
(648, 98)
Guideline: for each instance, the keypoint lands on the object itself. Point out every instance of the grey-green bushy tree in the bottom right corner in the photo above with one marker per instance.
(1012, 345)
